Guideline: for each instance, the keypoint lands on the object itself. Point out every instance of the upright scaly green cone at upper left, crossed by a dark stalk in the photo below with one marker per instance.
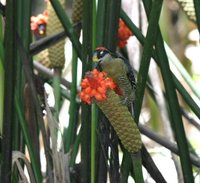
(56, 52)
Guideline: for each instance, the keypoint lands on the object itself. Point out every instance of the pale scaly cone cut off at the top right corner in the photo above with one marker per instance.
(188, 8)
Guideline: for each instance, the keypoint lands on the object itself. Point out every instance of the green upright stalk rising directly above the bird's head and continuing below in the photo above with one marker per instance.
(102, 131)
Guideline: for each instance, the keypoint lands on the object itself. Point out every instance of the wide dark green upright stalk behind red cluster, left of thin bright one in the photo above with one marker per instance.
(85, 109)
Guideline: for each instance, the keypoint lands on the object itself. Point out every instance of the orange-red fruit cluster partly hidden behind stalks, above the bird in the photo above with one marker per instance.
(123, 34)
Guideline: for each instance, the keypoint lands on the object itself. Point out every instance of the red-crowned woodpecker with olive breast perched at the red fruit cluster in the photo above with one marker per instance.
(119, 69)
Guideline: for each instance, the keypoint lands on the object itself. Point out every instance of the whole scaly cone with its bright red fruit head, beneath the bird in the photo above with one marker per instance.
(97, 87)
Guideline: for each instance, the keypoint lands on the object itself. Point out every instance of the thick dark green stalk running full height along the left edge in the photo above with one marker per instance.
(8, 114)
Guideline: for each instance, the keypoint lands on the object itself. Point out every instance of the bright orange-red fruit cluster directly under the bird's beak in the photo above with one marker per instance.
(95, 85)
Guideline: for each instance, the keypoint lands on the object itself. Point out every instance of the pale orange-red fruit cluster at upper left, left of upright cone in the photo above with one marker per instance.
(38, 20)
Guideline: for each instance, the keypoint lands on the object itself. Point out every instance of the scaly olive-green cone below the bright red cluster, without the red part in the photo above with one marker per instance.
(122, 121)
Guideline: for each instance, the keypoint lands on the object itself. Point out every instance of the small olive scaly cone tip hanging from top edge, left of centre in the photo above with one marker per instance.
(77, 11)
